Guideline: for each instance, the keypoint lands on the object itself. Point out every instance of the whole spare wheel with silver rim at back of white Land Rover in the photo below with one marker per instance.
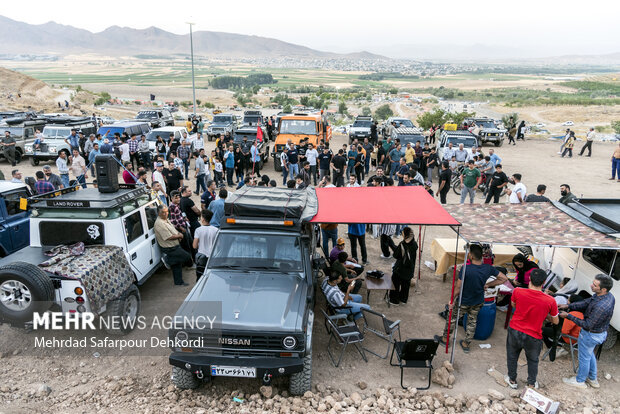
(24, 290)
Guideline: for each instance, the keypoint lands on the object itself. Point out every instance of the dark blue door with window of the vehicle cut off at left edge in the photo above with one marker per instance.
(17, 223)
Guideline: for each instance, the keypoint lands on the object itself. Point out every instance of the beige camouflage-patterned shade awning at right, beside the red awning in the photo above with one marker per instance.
(534, 224)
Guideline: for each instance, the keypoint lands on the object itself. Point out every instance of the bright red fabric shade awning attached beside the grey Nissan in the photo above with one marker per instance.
(381, 205)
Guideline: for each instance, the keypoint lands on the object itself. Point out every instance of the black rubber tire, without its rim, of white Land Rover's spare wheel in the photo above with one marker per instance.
(37, 282)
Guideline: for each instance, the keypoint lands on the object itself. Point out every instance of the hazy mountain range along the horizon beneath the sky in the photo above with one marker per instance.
(23, 38)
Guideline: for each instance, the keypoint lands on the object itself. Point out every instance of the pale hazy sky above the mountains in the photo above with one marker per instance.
(527, 28)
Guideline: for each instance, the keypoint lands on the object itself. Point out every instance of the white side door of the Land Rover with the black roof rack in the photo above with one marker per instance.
(136, 239)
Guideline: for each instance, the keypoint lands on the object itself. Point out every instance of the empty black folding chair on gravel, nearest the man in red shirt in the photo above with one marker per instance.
(415, 353)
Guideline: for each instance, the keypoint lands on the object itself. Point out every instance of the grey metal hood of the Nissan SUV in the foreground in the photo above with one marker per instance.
(250, 300)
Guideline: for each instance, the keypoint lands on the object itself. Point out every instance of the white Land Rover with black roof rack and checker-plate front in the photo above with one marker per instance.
(120, 253)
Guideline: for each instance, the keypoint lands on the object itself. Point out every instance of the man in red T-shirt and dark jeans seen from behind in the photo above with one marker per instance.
(532, 307)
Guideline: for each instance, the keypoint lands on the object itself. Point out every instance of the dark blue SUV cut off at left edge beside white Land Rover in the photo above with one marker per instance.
(14, 228)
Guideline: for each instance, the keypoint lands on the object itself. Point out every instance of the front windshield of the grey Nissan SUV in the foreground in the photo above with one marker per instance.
(256, 251)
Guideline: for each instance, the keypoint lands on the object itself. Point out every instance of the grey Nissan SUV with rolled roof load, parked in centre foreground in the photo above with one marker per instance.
(263, 270)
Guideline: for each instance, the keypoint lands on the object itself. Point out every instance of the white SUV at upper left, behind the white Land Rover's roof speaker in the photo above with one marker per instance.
(54, 135)
